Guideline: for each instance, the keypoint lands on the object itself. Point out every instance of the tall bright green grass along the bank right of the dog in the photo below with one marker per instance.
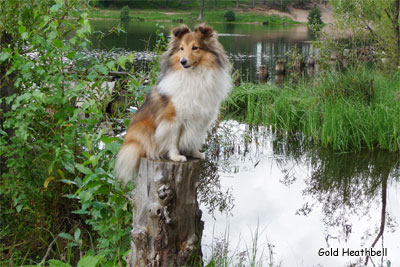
(357, 109)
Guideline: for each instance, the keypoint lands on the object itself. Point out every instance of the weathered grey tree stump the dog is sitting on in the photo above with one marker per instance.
(167, 225)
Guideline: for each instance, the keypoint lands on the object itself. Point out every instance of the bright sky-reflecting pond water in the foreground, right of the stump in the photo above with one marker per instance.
(292, 200)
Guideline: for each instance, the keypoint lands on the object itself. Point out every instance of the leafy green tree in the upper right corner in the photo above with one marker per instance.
(376, 19)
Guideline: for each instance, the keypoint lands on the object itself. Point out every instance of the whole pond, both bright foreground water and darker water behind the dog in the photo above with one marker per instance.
(283, 201)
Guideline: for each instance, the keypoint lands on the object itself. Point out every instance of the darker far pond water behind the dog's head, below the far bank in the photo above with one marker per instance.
(248, 45)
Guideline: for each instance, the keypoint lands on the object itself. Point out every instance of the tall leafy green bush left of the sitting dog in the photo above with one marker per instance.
(57, 190)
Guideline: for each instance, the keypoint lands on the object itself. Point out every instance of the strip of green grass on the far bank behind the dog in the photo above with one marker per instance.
(189, 15)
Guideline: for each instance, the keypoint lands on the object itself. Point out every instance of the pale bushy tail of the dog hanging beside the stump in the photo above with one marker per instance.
(128, 160)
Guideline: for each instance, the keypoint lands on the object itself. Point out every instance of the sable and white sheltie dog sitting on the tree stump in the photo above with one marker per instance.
(176, 115)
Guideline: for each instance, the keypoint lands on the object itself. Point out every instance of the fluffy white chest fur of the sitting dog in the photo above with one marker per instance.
(196, 95)
